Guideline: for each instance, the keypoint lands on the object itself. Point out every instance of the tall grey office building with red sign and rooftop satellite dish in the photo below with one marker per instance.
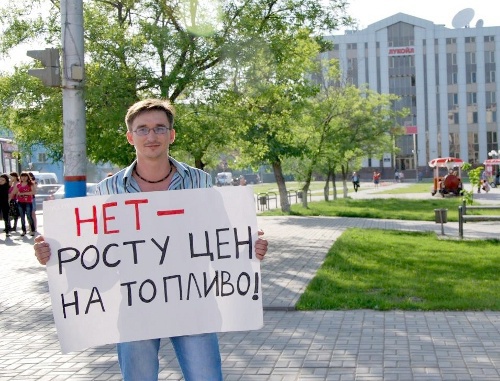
(445, 76)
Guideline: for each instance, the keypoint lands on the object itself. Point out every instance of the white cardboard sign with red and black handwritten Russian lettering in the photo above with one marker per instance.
(148, 265)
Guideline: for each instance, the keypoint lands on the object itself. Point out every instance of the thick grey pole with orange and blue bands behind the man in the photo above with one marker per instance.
(74, 138)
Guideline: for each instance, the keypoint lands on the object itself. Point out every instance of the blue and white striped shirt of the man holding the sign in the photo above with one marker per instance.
(186, 177)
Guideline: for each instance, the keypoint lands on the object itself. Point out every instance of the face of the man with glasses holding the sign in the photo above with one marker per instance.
(152, 145)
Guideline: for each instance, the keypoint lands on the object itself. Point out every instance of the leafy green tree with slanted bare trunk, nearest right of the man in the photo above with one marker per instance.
(273, 98)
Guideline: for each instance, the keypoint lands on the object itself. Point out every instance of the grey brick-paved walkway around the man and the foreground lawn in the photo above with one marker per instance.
(321, 345)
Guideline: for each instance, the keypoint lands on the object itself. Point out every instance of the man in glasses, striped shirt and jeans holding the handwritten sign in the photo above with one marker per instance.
(150, 130)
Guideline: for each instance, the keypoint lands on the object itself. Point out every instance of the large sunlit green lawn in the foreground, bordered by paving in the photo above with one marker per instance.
(387, 270)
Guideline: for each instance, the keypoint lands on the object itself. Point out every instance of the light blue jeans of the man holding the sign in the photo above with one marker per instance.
(198, 357)
